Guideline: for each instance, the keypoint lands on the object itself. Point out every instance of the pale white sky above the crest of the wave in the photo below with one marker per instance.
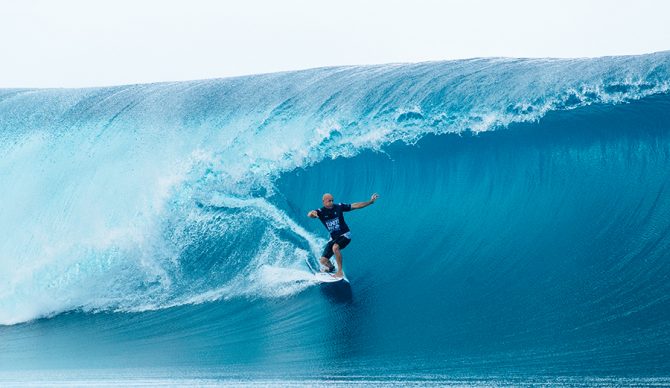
(48, 43)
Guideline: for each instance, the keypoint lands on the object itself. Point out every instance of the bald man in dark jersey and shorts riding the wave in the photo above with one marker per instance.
(332, 217)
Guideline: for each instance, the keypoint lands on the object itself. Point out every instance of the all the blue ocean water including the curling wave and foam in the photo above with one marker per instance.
(522, 235)
